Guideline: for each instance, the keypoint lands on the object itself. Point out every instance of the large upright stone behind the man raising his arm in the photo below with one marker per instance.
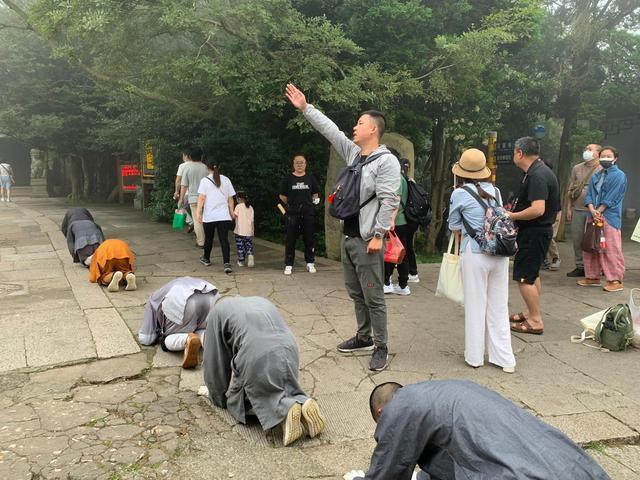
(332, 227)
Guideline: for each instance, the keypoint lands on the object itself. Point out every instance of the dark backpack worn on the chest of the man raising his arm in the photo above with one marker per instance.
(344, 202)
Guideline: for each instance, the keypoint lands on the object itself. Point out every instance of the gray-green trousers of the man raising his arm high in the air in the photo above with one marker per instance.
(364, 280)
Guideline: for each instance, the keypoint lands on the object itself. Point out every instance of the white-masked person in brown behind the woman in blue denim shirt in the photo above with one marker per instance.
(576, 211)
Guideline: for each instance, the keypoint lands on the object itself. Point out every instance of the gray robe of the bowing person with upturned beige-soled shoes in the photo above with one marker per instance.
(250, 355)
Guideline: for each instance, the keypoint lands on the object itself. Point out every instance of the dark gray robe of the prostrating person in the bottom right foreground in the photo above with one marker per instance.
(456, 429)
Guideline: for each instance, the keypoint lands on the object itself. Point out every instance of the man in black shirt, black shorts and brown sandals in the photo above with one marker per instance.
(534, 212)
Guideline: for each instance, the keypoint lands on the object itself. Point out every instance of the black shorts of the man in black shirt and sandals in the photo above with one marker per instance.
(533, 244)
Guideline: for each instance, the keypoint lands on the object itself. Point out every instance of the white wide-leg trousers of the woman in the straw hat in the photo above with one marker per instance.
(485, 281)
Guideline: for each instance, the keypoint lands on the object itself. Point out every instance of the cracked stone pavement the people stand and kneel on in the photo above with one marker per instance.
(79, 398)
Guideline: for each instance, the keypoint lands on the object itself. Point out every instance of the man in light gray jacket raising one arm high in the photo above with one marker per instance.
(362, 243)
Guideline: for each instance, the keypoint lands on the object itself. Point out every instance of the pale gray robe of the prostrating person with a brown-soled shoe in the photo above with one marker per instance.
(200, 298)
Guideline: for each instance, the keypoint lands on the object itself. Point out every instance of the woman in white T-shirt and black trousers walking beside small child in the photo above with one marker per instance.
(215, 211)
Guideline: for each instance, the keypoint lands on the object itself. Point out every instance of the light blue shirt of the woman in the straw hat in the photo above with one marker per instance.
(462, 203)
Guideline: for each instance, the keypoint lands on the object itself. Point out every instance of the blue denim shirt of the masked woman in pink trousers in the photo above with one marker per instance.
(607, 187)
